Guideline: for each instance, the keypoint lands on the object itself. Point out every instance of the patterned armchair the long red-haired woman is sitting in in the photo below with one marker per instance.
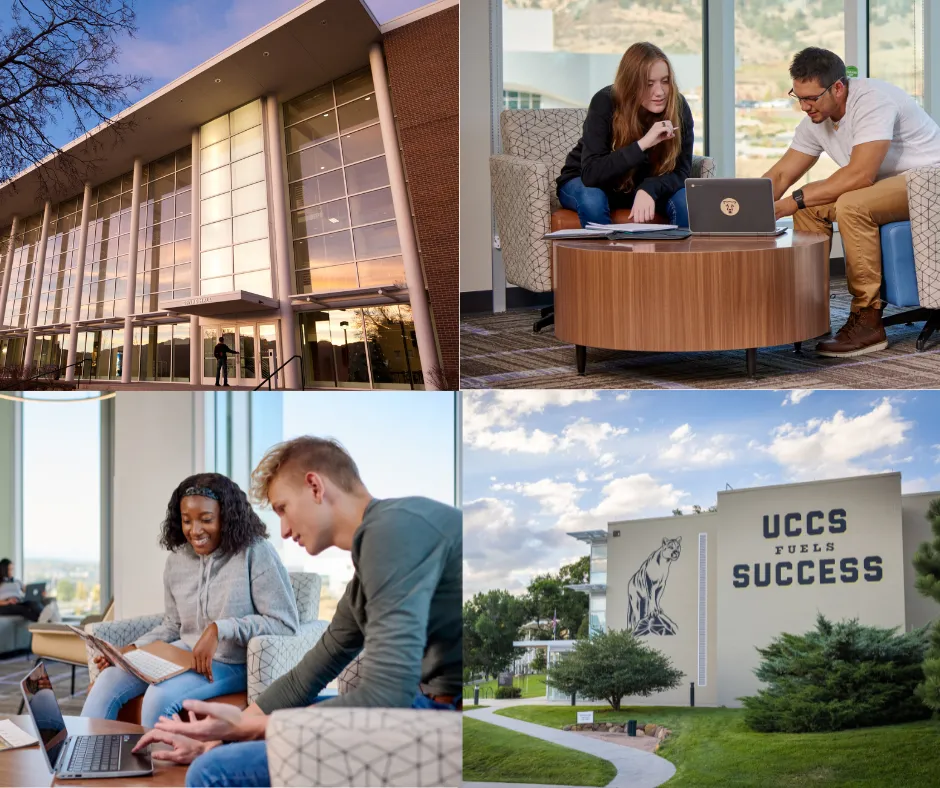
(535, 145)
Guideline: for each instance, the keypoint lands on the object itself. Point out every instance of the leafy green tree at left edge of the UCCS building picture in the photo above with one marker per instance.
(491, 623)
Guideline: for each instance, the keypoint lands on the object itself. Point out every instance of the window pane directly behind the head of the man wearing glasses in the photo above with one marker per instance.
(767, 34)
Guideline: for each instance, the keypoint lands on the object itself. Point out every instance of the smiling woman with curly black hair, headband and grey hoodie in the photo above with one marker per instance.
(223, 584)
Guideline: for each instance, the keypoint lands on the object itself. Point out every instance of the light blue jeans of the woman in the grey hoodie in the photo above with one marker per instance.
(114, 688)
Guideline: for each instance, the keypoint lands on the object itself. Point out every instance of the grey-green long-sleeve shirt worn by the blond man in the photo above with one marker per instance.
(403, 606)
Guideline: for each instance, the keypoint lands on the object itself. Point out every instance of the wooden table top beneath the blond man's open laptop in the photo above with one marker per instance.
(26, 766)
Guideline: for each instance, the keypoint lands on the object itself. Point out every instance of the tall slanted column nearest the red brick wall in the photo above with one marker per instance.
(414, 276)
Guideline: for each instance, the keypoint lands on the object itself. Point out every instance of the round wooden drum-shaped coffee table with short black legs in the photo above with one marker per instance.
(702, 293)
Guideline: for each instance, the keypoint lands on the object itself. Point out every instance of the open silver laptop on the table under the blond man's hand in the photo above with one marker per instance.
(78, 757)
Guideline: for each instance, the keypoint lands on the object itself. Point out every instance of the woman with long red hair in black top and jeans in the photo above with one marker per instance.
(636, 147)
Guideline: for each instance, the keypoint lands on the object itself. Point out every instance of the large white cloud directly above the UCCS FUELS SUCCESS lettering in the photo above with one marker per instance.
(837, 446)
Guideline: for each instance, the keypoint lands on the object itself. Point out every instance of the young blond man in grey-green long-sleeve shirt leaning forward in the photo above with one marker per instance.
(403, 606)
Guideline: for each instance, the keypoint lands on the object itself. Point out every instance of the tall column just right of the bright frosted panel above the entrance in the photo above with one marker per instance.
(276, 164)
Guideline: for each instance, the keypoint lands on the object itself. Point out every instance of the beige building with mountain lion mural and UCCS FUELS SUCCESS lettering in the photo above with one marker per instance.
(708, 590)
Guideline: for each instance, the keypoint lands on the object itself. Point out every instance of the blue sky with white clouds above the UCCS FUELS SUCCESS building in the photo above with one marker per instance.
(539, 464)
